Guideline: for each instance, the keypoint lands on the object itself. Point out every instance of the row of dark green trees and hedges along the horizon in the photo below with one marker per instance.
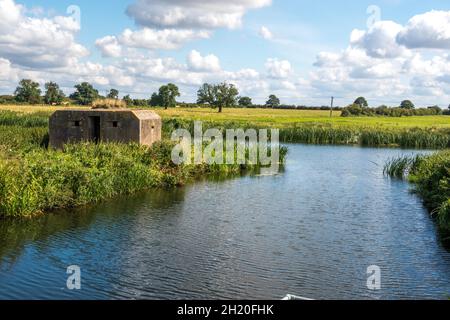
(219, 96)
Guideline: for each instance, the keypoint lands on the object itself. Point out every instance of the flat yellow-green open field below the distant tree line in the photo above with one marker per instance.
(277, 118)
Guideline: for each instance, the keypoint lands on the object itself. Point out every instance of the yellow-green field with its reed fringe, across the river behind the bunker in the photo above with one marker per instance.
(303, 126)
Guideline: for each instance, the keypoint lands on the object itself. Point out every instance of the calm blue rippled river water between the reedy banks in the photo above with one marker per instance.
(311, 231)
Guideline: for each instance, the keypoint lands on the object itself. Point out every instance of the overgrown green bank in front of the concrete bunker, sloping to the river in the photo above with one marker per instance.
(35, 179)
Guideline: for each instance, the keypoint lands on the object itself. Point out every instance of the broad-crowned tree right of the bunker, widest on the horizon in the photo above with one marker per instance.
(220, 95)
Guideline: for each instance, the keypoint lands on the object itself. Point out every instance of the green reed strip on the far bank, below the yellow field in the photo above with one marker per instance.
(311, 133)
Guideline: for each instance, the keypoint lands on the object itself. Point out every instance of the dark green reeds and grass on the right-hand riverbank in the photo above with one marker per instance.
(431, 178)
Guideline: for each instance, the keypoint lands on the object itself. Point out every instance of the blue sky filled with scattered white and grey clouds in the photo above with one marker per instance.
(302, 51)
